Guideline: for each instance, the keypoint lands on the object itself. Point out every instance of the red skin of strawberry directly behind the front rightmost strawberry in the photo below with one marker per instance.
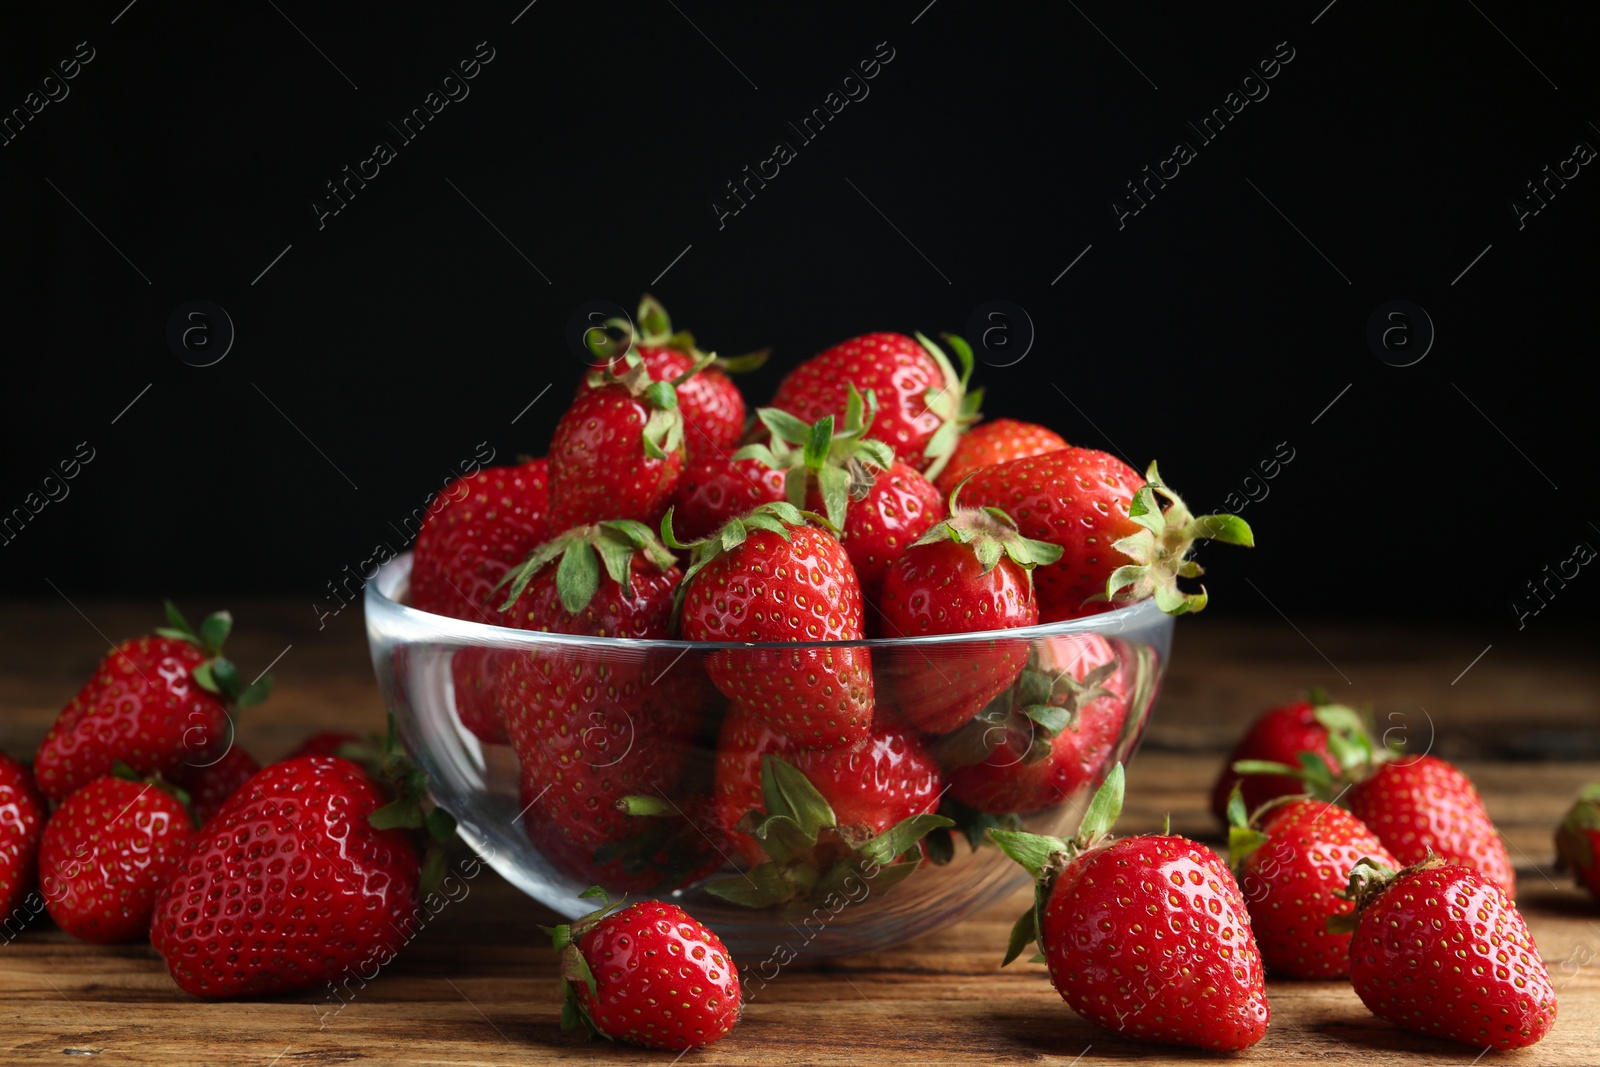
(1420, 804)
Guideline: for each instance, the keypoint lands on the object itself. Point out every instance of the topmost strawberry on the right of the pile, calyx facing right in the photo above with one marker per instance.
(926, 402)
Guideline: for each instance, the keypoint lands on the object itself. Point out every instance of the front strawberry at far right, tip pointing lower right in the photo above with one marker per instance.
(1442, 951)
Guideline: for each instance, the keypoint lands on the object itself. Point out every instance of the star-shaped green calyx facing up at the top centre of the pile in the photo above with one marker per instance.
(839, 460)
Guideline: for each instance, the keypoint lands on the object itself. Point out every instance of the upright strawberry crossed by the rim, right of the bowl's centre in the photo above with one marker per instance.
(972, 572)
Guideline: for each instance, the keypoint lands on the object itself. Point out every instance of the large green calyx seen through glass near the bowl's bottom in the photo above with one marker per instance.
(810, 855)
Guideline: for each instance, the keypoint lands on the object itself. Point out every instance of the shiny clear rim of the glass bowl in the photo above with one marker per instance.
(1130, 618)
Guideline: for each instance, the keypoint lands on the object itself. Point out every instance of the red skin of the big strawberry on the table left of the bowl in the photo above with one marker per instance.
(289, 885)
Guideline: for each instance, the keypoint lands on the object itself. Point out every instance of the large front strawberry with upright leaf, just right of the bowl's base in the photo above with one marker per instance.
(1145, 937)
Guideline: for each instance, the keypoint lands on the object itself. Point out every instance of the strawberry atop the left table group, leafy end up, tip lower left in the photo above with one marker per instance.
(158, 703)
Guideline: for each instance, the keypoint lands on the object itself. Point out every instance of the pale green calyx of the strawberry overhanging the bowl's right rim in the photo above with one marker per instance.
(1161, 549)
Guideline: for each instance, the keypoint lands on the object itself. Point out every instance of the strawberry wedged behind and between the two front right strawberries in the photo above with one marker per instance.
(1290, 866)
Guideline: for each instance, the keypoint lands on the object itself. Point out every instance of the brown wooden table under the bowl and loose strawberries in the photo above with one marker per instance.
(479, 988)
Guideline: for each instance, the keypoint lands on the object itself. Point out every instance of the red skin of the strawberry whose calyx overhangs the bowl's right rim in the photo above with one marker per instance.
(1076, 498)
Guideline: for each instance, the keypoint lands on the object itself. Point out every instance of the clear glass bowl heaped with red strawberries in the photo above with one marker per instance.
(785, 671)
